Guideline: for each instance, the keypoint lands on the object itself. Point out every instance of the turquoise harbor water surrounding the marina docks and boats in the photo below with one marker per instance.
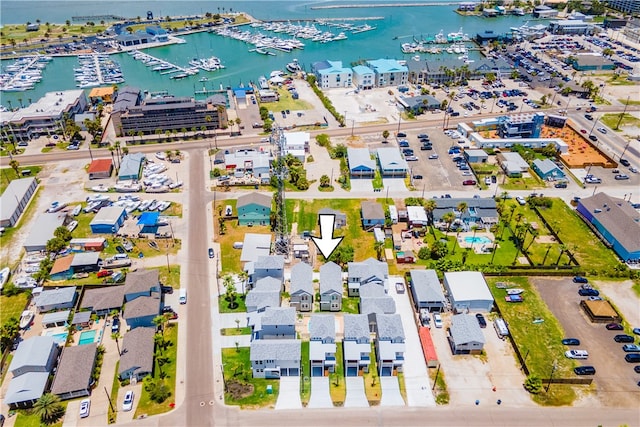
(401, 23)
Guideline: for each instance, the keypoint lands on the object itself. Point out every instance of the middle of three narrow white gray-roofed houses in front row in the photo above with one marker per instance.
(356, 344)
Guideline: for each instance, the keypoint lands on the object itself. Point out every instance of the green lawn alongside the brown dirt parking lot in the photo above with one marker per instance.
(539, 343)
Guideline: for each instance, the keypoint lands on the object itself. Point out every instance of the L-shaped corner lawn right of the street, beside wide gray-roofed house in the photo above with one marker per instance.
(238, 376)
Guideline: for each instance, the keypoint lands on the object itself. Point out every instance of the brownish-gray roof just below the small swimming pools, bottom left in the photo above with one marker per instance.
(74, 370)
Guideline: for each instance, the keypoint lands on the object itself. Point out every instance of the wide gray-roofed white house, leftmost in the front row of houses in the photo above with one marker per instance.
(275, 358)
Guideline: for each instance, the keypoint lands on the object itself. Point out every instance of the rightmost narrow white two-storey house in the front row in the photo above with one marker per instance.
(390, 346)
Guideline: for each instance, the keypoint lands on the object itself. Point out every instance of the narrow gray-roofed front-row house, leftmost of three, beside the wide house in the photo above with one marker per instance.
(322, 344)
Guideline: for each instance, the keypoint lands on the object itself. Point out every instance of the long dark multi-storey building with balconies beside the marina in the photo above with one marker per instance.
(166, 113)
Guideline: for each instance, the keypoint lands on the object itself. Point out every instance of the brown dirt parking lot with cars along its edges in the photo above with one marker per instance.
(615, 378)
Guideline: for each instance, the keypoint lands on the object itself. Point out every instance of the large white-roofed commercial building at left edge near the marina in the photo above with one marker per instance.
(45, 116)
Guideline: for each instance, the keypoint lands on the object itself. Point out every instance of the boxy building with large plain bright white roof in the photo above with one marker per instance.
(468, 291)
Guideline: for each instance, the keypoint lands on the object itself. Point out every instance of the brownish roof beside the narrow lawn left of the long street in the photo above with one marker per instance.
(137, 350)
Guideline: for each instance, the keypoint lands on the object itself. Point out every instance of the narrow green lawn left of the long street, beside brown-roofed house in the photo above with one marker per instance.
(145, 404)
